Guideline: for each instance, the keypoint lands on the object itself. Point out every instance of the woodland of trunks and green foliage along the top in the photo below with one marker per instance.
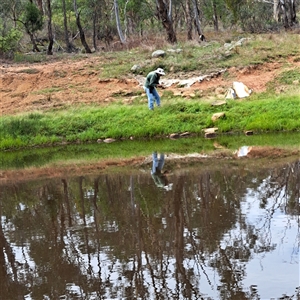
(97, 25)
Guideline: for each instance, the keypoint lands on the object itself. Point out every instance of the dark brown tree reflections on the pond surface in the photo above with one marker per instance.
(114, 235)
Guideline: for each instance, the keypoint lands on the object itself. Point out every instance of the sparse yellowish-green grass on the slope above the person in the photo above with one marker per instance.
(203, 58)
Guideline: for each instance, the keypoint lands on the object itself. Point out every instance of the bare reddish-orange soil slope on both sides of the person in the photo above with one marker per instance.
(42, 86)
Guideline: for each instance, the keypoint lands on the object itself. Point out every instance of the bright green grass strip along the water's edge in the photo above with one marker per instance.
(84, 124)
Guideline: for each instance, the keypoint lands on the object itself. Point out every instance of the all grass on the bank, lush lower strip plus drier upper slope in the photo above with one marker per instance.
(269, 111)
